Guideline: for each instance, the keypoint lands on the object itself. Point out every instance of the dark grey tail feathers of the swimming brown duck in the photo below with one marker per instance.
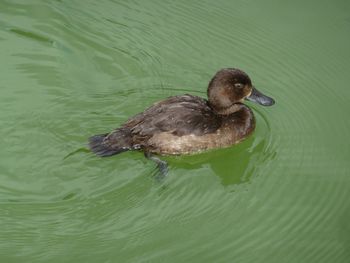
(99, 147)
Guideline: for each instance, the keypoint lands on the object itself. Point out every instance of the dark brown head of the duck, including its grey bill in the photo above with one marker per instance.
(228, 89)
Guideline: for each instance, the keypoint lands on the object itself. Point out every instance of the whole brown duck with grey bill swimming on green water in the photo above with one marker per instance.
(188, 124)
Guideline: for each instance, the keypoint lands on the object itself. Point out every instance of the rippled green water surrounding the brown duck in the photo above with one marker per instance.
(71, 69)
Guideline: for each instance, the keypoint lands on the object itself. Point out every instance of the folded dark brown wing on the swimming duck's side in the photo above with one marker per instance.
(179, 115)
